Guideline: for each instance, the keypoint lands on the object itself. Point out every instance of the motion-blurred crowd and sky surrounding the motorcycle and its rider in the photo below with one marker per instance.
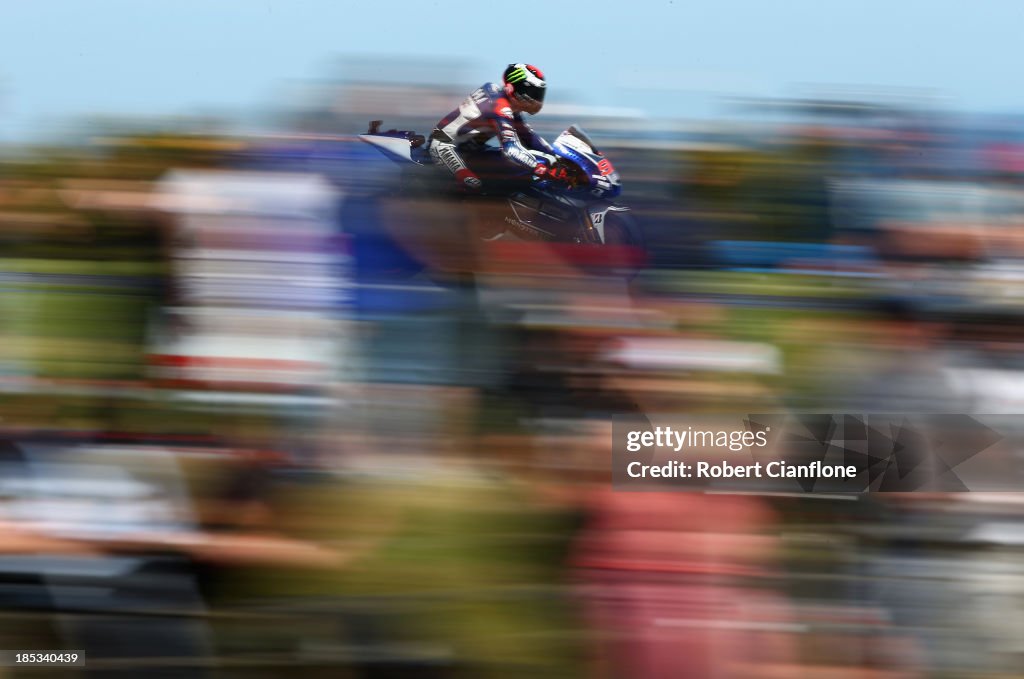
(253, 421)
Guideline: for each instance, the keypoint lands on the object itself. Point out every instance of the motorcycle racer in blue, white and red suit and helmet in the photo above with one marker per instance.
(491, 111)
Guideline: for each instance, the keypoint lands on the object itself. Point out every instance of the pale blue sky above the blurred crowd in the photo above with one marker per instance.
(61, 60)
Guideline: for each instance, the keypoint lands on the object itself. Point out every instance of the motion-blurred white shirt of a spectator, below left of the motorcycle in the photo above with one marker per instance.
(259, 277)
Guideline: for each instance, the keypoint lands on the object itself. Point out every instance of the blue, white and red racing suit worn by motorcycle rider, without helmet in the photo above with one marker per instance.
(483, 115)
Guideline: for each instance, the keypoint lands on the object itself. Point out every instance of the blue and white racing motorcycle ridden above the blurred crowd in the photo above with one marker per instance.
(581, 210)
